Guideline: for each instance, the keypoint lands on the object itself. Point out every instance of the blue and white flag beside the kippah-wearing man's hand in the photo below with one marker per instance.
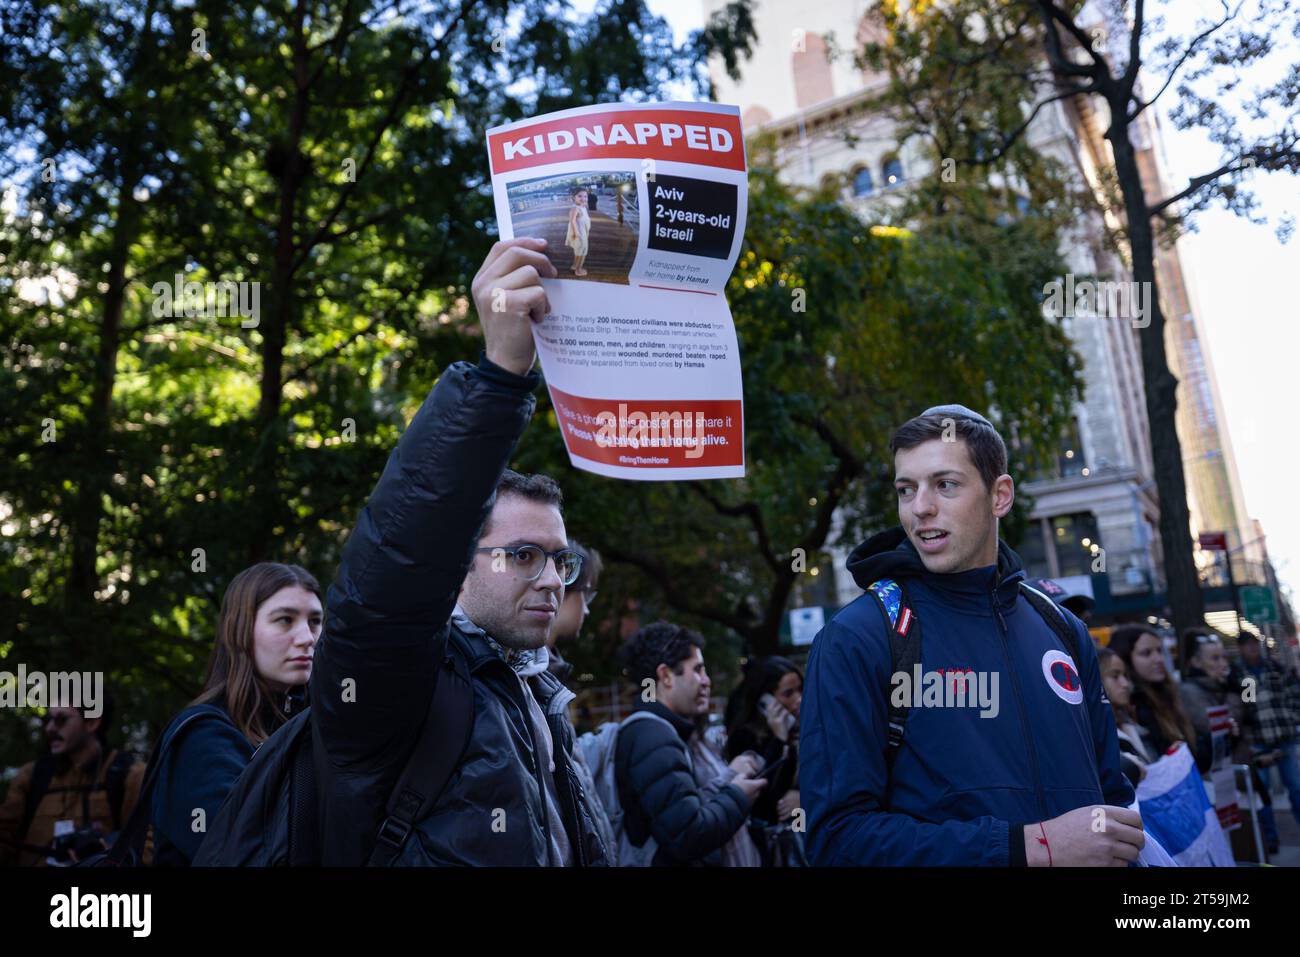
(1177, 813)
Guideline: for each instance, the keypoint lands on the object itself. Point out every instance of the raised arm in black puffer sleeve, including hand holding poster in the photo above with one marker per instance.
(413, 543)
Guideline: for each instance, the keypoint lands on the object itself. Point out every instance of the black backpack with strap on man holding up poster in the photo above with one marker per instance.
(272, 816)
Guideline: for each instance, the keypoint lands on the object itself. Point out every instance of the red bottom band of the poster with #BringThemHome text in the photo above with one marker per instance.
(678, 434)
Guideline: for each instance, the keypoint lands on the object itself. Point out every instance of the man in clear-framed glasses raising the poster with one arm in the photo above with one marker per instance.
(458, 565)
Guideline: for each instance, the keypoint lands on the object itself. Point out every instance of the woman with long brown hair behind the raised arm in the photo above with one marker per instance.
(258, 674)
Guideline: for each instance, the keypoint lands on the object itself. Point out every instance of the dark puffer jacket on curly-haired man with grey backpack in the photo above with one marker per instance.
(661, 798)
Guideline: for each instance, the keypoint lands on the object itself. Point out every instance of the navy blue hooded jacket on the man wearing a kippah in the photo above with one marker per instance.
(963, 786)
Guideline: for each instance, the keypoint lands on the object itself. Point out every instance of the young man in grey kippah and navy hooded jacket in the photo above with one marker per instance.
(954, 716)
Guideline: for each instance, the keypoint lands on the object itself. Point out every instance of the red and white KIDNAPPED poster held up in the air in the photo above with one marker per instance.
(639, 347)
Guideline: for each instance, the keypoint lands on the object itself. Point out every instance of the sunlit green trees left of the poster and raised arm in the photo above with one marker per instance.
(332, 154)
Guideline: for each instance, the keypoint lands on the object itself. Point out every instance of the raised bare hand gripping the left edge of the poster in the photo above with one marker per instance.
(509, 297)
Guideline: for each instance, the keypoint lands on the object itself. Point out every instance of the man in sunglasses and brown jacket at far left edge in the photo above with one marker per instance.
(67, 804)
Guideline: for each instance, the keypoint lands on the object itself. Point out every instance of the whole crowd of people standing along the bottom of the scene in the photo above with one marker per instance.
(439, 729)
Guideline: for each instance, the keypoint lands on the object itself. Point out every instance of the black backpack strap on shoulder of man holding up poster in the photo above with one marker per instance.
(435, 759)
